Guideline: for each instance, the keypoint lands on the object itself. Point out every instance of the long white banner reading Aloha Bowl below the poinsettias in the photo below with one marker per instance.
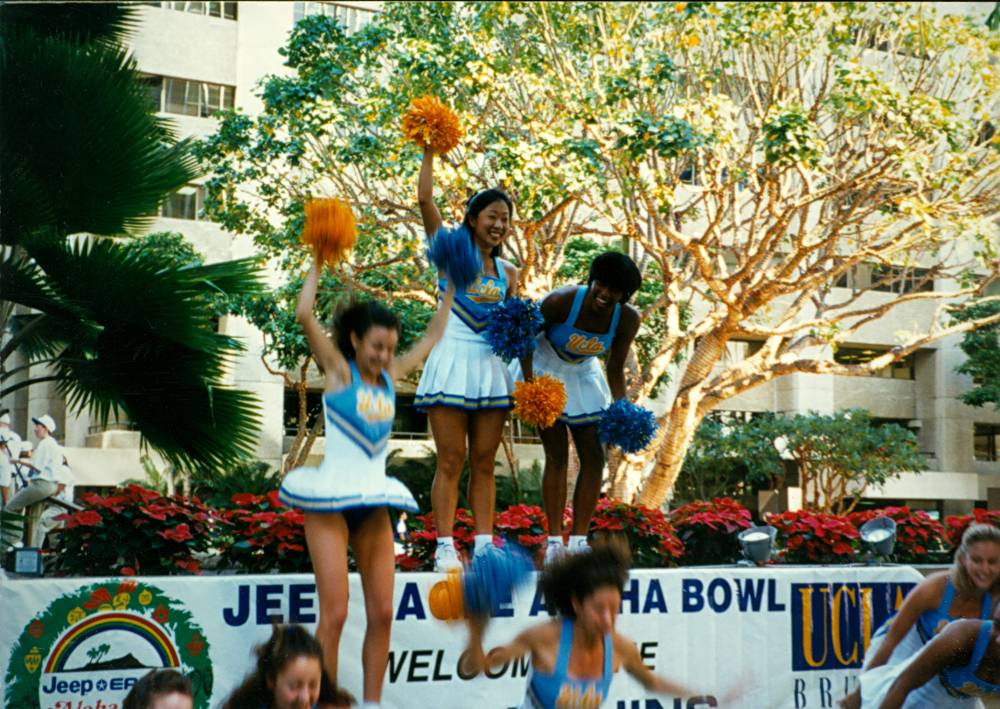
(791, 637)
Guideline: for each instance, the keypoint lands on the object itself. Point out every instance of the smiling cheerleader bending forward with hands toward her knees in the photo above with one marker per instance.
(582, 324)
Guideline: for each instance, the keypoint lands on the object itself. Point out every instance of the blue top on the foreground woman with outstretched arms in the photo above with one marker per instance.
(557, 691)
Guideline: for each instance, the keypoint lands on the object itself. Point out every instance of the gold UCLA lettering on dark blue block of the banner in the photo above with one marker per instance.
(832, 624)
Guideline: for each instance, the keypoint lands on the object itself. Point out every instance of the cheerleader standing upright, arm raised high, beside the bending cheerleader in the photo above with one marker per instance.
(465, 388)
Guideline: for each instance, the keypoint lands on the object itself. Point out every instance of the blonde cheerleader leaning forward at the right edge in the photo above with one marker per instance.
(965, 591)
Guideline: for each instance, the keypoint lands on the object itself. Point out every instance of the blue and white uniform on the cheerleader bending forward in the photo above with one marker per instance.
(571, 355)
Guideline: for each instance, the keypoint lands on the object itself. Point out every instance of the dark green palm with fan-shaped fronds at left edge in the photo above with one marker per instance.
(120, 327)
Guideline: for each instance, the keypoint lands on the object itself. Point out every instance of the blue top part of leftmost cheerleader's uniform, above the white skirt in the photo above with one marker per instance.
(362, 412)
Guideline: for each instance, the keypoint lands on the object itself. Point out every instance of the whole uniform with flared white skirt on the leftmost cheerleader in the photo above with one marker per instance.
(352, 474)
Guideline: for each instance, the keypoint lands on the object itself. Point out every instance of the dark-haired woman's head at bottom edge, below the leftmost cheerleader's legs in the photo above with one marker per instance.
(288, 675)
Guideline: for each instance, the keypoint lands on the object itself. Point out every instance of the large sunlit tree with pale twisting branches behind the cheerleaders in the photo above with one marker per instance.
(779, 169)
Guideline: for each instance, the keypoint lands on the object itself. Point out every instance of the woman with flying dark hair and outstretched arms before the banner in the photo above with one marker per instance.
(574, 655)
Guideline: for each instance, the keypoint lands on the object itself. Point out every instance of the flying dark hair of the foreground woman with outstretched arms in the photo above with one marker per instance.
(578, 575)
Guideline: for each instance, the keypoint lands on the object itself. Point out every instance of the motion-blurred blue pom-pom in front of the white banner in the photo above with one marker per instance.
(492, 577)
